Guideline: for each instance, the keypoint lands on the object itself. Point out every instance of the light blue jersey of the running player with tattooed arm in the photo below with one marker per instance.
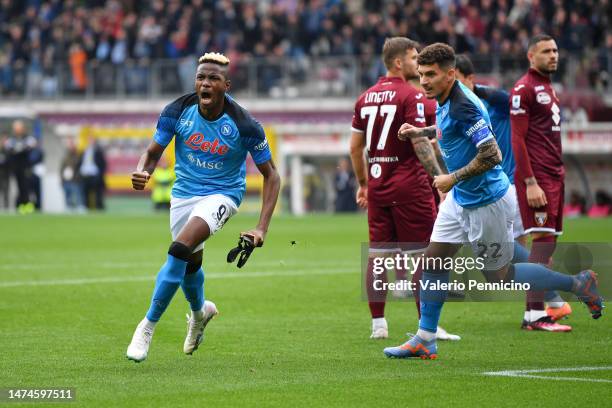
(464, 124)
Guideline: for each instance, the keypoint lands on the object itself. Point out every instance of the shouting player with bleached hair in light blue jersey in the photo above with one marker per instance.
(213, 135)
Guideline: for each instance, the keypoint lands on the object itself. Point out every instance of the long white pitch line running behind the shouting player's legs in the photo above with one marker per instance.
(228, 275)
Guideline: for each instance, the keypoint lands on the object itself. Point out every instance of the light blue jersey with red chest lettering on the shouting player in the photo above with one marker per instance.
(211, 155)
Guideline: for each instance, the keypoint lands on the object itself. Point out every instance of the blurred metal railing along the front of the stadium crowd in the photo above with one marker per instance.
(282, 77)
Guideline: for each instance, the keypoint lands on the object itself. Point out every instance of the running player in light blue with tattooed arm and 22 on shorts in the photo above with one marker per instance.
(479, 209)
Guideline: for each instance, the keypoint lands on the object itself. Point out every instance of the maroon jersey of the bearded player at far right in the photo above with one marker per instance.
(535, 116)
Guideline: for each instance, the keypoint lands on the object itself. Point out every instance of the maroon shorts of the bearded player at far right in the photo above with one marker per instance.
(548, 218)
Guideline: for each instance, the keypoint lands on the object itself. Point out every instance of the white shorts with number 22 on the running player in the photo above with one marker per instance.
(488, 229)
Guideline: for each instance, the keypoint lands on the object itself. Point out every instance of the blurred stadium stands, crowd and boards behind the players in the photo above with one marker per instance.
(300, 52)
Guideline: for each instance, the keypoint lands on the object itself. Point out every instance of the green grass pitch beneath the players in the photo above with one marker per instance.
(293, 330)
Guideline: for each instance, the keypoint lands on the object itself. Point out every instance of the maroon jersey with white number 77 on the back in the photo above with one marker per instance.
(395, 174)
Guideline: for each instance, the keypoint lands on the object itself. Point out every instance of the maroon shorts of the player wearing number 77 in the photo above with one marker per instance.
(406, 226)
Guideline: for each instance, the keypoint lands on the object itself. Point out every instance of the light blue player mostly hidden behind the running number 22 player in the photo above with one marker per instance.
(497, 103)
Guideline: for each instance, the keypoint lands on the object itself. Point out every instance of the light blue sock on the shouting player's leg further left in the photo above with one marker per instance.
(168, 280)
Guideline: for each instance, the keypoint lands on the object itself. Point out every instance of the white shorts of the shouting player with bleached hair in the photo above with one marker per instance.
(214, 209)
